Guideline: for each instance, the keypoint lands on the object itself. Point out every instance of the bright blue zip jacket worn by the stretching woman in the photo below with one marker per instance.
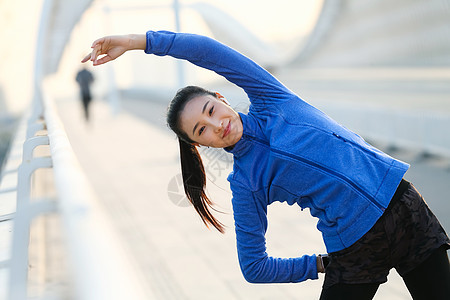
(290, 152)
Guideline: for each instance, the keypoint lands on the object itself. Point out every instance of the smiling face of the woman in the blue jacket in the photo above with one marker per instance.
(209, 121)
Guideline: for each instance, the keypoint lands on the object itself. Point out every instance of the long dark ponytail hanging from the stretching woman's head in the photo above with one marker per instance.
(194, 181)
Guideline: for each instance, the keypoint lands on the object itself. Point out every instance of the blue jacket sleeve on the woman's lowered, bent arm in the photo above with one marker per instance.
(256, 265)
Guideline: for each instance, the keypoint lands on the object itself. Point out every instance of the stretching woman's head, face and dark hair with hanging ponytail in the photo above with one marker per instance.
(201, 117)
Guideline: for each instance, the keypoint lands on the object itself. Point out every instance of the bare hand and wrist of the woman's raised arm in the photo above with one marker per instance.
(109, 48)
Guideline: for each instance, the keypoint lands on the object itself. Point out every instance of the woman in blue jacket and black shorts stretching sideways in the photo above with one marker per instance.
(286, 150)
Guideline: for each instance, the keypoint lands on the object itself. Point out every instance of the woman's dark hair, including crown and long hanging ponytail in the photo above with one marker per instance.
(194, 178)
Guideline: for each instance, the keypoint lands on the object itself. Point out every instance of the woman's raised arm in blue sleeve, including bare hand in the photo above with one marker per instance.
(202, 51)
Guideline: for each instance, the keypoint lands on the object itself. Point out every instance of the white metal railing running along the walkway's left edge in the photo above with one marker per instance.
(100, 267)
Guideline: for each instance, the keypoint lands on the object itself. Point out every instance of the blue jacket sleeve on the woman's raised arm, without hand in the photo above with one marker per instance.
(260, 85)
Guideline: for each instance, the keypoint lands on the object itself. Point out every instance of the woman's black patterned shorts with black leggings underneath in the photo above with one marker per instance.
(407, 237)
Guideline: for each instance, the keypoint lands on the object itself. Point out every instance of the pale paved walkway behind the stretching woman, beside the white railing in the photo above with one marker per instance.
(133, 165)
